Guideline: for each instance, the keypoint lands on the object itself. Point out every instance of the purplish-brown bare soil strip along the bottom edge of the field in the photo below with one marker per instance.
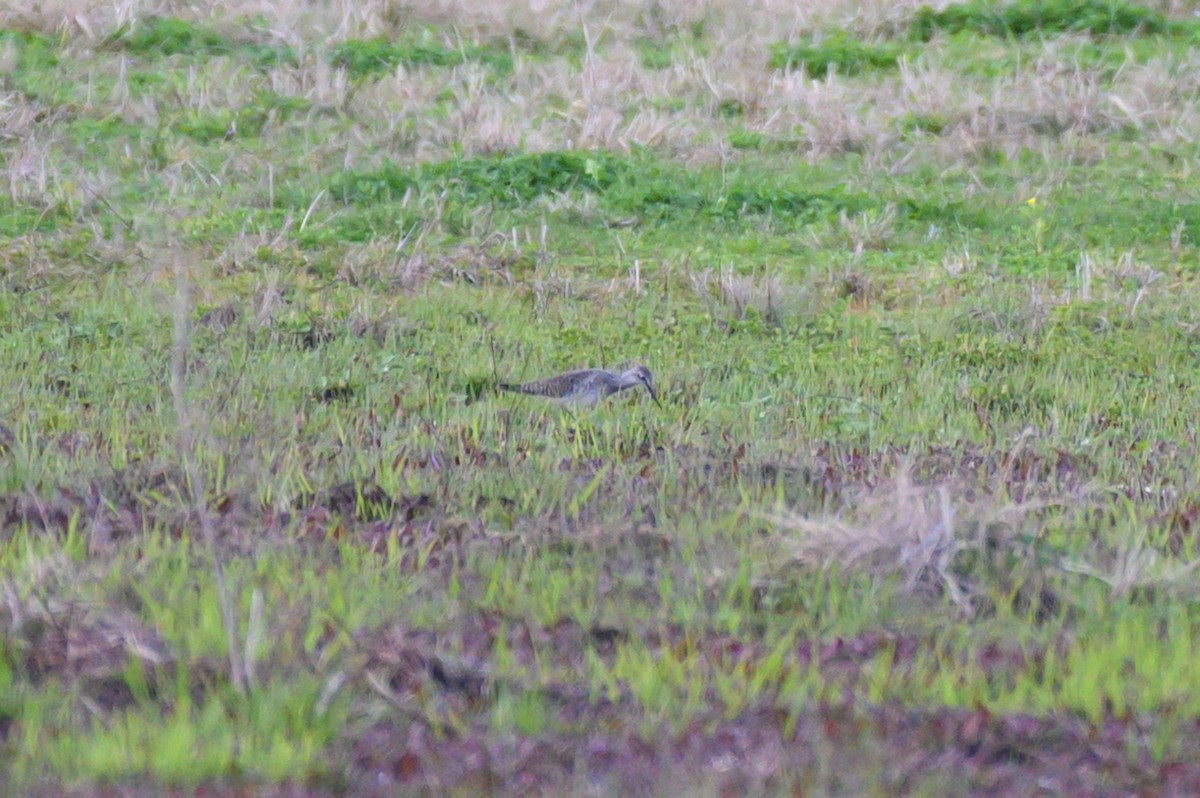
(842, 749)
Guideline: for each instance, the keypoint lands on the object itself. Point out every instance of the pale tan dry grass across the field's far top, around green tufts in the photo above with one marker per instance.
(614, 101)
